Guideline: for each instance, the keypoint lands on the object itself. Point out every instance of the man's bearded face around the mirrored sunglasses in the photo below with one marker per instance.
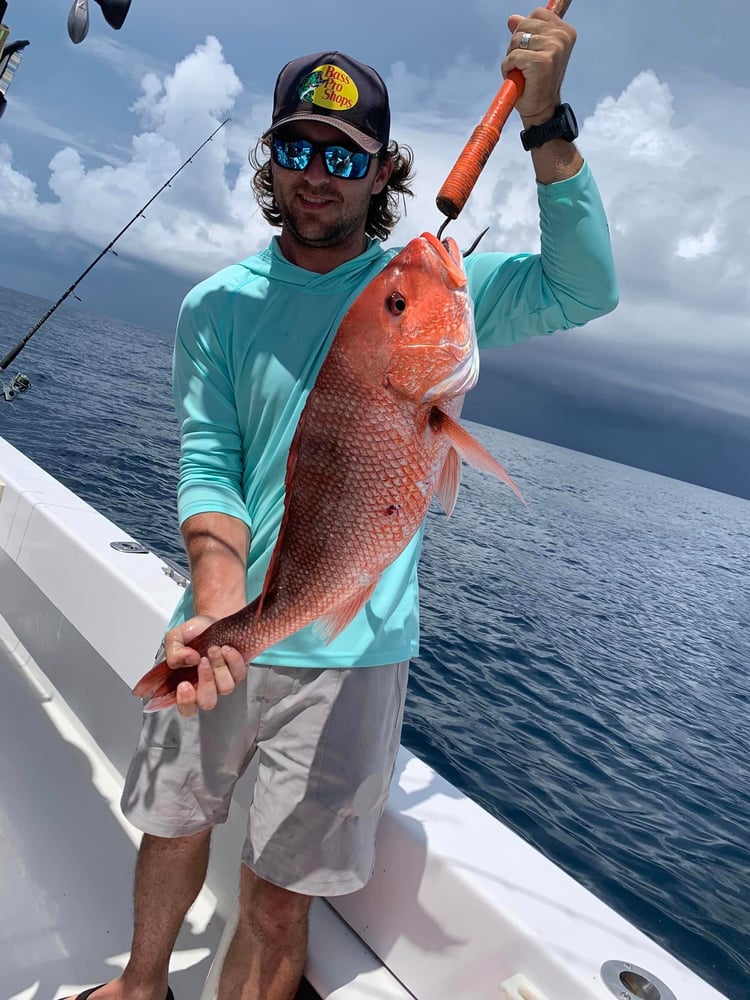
(317, 209)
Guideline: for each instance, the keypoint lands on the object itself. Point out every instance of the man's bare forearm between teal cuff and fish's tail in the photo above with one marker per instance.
(217, 546)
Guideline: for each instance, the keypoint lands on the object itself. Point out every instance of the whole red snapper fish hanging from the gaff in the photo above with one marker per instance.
(378, 438)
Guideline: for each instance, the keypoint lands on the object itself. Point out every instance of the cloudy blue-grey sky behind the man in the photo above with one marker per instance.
(661, 93)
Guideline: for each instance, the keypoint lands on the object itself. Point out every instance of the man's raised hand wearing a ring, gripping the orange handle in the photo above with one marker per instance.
(542, 63)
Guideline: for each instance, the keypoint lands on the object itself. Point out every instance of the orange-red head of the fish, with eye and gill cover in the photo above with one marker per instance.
(415, 323)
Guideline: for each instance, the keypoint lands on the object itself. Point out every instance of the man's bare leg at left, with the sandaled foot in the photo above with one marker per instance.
(168, 876)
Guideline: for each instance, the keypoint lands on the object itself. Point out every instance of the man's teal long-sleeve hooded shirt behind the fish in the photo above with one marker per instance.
(251, 340)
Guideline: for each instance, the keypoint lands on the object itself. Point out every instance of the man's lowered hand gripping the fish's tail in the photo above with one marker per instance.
(219, 671)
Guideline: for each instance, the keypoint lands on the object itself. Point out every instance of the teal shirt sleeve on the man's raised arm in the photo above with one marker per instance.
(569, 283)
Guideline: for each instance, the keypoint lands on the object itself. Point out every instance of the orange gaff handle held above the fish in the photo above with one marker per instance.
(460, 182)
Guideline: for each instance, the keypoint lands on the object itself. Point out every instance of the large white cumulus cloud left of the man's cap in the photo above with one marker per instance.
(200, 223)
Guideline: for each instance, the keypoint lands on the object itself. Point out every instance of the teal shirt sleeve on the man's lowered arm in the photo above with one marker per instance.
(211, 457)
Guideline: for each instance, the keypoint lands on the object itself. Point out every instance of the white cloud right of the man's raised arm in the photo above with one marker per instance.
(676, 201)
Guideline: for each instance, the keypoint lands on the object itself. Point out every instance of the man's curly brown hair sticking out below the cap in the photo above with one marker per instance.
(384, 207)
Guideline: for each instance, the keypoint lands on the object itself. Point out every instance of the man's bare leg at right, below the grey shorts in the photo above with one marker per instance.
(267, 953)
